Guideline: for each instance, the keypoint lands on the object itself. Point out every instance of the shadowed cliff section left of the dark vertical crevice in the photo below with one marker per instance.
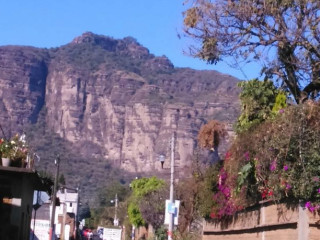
(23, 72)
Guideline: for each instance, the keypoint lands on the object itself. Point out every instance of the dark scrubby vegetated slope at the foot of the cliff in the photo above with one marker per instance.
(85, 172)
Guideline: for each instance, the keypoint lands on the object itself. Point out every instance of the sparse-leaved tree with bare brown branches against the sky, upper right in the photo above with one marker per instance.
(284, 35)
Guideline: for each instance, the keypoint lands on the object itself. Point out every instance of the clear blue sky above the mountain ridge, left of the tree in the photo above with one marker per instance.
(155, 24)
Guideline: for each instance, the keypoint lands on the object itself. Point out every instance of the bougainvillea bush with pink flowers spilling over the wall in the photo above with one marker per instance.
(278, 160)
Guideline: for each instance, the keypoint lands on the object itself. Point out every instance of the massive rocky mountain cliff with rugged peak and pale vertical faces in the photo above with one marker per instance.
(113, 99)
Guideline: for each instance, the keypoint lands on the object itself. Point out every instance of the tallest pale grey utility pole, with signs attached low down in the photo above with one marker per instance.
(171, 203)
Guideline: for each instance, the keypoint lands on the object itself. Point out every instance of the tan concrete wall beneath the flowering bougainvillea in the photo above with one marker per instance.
(266, 221)
